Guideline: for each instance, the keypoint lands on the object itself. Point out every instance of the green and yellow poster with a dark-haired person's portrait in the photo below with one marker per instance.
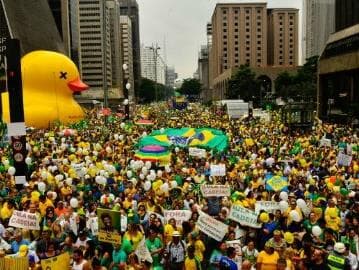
(109, 226)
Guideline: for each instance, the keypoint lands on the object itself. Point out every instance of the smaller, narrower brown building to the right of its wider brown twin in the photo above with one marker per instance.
(283, 37)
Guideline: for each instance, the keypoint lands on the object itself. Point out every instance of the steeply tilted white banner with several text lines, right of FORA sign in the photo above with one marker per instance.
(212, 227)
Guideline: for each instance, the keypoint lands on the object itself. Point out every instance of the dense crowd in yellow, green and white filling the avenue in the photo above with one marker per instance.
(72, 173)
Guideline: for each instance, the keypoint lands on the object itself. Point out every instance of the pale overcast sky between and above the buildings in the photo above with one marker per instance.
(181, 24)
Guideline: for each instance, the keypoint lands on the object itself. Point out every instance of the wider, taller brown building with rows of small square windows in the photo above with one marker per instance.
(239, 36)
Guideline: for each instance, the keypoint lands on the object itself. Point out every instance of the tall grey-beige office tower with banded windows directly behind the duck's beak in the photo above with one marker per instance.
(95, 42)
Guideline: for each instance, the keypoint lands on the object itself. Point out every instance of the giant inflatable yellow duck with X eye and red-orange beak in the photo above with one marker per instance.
(49, 79)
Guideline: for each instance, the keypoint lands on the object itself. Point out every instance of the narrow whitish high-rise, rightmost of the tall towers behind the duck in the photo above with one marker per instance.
(127, 51)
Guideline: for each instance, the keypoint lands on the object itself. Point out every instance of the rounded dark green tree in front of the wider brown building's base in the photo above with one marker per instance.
(243, 84)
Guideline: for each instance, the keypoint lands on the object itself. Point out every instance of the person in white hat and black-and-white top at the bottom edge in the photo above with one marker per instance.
(176, 250)
